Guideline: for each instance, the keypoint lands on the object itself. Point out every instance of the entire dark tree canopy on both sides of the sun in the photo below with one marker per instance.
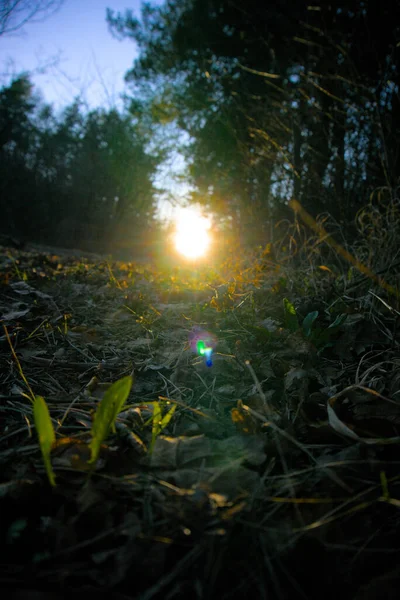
(271, 101)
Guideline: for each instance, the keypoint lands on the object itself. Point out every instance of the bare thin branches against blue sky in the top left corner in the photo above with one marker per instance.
(15, 14)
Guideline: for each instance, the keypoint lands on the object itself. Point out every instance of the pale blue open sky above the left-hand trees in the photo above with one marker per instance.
(72, 53)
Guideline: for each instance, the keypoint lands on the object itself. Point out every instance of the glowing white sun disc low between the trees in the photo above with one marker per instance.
(191, 238)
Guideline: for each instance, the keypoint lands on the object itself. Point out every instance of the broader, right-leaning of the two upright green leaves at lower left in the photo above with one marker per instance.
(107, 412)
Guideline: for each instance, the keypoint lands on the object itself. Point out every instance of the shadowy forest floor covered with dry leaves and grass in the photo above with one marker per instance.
(272, 473)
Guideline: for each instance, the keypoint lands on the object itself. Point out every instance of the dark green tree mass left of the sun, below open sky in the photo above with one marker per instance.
(81, 179)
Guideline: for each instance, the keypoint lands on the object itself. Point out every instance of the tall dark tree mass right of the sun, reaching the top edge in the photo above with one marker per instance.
(280, 100)
